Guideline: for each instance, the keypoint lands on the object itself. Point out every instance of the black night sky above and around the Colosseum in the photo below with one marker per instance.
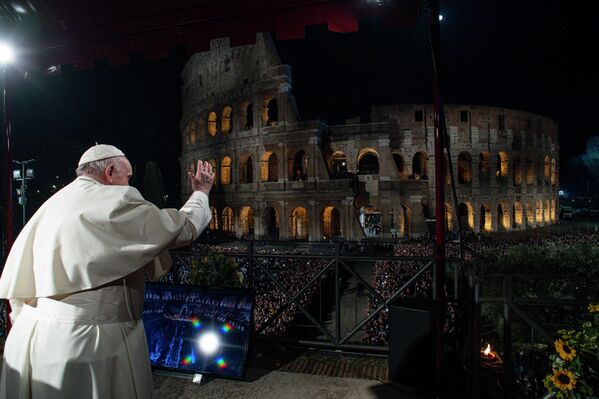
(528, 55)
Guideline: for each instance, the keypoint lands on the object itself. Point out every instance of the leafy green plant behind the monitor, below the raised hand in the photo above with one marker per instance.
(216, 270)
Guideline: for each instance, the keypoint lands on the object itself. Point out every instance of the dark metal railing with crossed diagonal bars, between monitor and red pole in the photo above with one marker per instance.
(333, 264)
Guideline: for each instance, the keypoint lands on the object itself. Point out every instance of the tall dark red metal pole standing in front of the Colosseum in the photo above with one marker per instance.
(439, 275)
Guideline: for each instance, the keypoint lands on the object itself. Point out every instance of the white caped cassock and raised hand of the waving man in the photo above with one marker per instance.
(75, 281)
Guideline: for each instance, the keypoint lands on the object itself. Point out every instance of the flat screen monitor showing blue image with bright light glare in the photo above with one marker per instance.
(193, 329)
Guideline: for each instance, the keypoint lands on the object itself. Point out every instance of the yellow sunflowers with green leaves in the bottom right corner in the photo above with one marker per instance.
(575, 365)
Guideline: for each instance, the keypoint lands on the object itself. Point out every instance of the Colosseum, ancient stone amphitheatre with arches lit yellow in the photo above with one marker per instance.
(280, 177)
